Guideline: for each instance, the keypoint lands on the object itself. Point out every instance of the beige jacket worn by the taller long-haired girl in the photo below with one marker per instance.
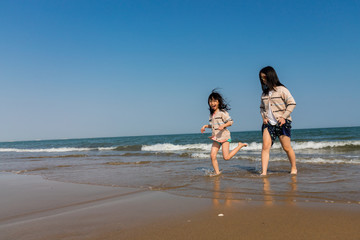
(281, 103)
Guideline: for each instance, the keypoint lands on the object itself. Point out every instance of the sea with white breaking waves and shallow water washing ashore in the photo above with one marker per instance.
(328, 162)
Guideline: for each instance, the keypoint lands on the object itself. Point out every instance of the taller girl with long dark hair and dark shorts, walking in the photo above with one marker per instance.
(275, 108)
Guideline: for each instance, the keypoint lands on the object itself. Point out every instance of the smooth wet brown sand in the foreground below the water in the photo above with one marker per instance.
(34, 208)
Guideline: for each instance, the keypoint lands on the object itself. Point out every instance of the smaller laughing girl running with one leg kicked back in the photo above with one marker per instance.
(219, 121)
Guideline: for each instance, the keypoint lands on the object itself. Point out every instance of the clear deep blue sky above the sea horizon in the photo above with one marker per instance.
(74, 69)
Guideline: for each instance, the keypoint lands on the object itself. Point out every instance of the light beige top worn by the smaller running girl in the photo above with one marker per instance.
(217, 119)
